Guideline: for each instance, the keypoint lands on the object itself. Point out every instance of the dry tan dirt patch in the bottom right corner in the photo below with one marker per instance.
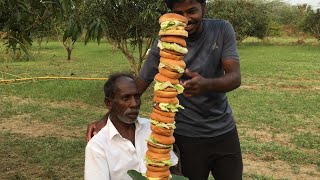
(278, 169)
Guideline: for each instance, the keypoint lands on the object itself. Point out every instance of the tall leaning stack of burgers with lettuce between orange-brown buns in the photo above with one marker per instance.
(172, 46)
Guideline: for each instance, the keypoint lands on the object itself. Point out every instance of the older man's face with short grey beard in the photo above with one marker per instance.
(126, 102)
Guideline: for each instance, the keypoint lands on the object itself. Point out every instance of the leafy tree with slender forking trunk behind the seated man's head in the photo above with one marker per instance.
(130, 24)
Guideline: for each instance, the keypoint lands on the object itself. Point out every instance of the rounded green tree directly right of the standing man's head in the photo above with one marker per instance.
(248, 18)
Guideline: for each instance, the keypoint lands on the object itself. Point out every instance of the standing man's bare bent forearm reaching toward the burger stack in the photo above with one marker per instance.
(228, 82)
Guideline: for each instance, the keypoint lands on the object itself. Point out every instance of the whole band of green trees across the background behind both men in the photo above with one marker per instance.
(131, 26)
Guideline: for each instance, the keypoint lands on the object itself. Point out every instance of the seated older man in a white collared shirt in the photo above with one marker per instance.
(120, 145)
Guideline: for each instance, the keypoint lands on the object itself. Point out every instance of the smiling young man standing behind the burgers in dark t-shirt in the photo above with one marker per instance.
(206, 132)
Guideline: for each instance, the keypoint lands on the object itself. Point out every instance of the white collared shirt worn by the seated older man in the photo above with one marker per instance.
(109, 156)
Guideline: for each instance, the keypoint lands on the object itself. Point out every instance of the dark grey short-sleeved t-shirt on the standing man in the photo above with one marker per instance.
(209, 114)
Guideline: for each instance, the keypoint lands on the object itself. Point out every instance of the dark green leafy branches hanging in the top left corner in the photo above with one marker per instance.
(20, 19)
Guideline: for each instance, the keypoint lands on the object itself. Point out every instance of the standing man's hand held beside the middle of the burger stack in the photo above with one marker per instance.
(195, 85)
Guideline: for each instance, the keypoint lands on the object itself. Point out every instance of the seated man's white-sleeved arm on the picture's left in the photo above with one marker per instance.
(96, 164)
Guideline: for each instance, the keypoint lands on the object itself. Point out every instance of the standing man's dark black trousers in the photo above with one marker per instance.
(221, 155)
